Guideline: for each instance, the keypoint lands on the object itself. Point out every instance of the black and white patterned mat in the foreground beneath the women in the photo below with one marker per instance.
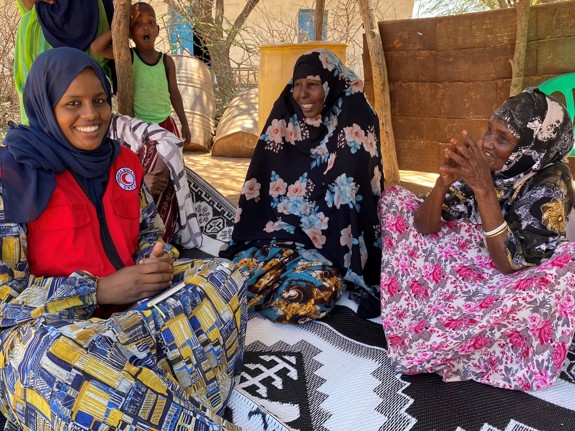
(334, 375)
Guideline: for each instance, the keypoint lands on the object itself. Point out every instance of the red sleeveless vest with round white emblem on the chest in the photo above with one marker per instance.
(67, 235)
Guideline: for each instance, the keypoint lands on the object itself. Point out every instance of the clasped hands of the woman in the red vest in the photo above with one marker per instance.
(133, 283)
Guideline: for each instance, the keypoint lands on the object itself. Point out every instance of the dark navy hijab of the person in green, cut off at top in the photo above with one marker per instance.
(71, 23)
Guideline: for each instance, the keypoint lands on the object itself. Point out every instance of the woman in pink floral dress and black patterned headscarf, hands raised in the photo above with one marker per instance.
(478, 280)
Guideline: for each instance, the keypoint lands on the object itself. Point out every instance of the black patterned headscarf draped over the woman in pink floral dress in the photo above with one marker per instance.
(534, 187)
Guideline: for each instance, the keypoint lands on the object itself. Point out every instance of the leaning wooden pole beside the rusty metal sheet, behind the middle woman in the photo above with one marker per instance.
(381, 91)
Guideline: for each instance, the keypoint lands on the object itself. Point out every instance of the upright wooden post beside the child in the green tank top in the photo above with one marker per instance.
(122, 58)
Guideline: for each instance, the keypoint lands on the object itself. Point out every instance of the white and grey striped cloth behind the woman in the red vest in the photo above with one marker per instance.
(149, 140)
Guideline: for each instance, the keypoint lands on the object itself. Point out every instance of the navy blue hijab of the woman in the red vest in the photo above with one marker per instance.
(35, 154)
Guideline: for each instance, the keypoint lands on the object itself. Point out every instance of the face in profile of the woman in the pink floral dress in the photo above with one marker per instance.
(498, 143)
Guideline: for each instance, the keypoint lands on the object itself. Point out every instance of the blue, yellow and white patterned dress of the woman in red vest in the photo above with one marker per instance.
(162, 368)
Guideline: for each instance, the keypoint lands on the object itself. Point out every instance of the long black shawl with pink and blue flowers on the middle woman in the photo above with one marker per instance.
(313, 184)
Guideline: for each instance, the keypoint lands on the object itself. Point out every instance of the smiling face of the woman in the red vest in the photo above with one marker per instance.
(83, 112)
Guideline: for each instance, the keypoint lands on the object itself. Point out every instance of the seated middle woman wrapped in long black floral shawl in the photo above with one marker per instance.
(307, 221)
